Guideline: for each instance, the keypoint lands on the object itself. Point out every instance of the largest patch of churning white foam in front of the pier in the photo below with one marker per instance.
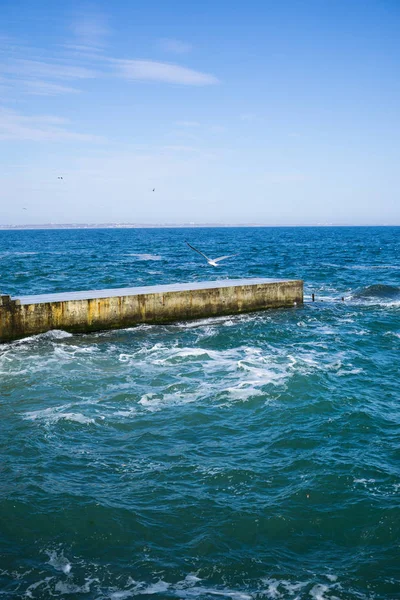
(238, 373)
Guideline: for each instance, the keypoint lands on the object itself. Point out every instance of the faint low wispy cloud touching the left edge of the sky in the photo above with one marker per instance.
(15, 126)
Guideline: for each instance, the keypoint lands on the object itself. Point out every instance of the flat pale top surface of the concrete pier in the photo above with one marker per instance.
(150, 289)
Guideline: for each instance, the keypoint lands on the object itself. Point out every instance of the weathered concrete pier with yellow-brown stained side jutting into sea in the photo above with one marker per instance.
(96, 310)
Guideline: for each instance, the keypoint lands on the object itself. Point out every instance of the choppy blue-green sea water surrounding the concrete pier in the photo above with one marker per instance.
(244, 457)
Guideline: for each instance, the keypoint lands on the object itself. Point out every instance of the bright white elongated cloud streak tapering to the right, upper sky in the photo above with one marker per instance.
(148, 70)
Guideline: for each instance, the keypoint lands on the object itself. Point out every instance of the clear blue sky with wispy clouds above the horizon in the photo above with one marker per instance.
(261, 112)
